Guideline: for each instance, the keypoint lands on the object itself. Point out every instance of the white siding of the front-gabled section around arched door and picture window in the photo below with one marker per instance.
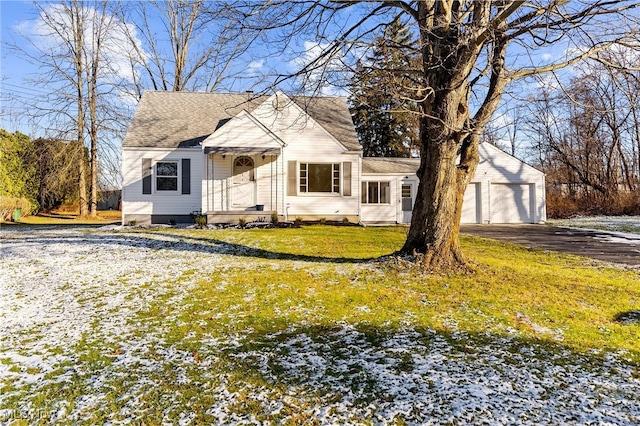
(304, 141)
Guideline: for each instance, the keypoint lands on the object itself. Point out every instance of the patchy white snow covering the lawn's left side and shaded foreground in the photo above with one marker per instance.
(61, 287)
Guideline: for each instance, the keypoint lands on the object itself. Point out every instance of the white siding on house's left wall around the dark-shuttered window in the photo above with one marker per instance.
(159, 203)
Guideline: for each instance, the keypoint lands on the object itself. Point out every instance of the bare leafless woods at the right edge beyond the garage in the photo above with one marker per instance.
(586, 137)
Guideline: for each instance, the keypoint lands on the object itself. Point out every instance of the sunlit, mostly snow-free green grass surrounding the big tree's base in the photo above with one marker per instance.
(306, 276)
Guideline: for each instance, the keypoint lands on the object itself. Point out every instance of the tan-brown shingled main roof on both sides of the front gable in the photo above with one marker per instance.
(185, 119)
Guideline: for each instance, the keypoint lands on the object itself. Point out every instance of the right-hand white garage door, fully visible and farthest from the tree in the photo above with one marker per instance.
(511, 203)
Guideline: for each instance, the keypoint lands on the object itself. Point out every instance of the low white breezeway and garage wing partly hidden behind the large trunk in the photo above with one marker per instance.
(503, 190)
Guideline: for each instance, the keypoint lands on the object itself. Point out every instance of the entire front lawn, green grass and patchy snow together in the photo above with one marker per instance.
(304, 326)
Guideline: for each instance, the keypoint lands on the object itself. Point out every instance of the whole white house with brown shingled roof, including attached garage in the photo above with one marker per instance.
(233, 156)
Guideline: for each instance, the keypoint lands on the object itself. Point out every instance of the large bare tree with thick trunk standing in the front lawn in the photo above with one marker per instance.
(470, 51)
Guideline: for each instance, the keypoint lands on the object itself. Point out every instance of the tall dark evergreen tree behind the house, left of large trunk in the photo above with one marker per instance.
(385, 124)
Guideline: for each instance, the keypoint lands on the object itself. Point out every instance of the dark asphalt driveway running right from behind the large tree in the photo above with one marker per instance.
(602, 245)
